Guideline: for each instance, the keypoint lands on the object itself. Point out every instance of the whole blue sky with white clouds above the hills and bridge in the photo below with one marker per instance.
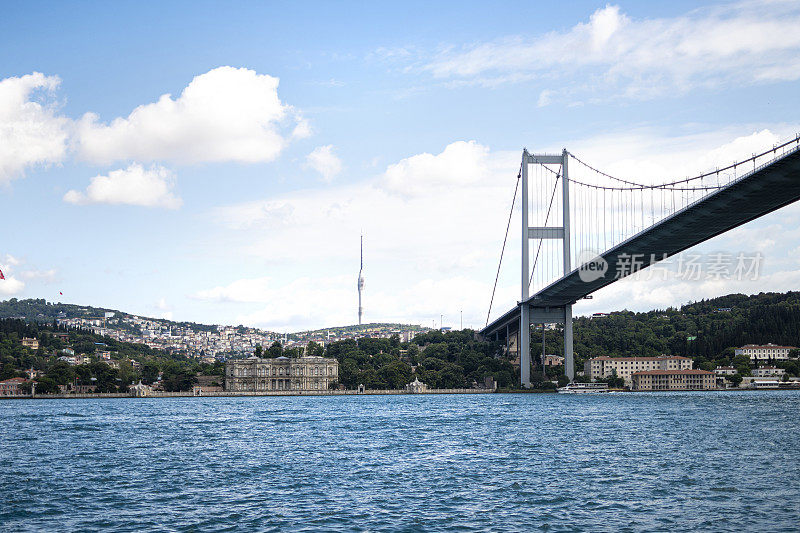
(241, 199)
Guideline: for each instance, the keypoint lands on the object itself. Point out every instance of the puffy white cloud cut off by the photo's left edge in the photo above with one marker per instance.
(31, 133)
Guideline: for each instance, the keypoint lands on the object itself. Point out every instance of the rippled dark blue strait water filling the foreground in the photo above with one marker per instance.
(620, 462)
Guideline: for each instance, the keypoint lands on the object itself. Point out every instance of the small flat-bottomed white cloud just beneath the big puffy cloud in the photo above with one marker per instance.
(134, 185)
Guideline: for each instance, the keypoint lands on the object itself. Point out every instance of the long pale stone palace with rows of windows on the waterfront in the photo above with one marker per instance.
(281, 374)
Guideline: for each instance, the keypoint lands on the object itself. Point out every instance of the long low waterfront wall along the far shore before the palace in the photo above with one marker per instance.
(190, 394)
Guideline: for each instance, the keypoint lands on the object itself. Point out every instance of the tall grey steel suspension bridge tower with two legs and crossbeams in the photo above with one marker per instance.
(529, 314)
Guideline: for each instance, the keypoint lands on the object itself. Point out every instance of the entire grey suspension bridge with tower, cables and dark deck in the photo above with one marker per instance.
(590, 229)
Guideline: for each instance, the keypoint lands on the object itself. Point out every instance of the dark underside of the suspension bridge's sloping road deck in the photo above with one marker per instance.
(766, 189)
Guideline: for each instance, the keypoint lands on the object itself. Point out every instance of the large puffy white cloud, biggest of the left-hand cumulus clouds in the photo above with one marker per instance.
(226, 114)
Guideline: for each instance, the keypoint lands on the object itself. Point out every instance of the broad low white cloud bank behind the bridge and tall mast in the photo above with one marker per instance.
(434, 225)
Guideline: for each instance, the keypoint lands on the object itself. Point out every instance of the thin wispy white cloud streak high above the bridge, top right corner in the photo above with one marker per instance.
(744, 43)
